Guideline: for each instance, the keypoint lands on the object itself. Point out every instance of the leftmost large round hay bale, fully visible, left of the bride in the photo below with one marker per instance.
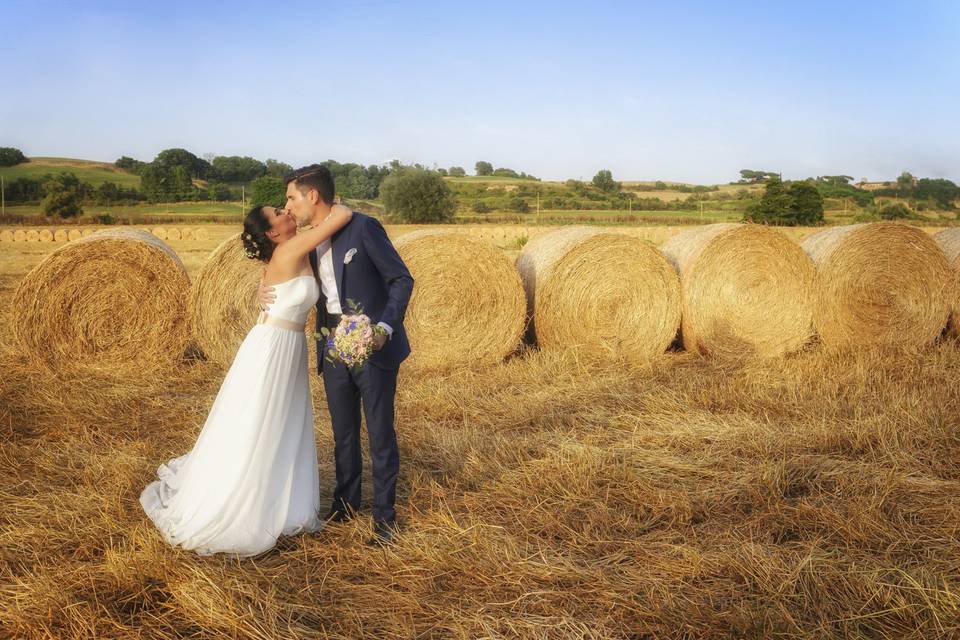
(112, 302)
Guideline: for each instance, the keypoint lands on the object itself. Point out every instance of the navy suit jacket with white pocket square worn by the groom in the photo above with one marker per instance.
(376, 278)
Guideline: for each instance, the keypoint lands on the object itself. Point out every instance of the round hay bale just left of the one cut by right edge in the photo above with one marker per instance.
(883, 284)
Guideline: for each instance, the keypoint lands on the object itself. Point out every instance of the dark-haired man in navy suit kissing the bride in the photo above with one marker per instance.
(359, 264)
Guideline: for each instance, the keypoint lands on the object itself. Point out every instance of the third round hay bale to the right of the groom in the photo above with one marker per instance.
(747, 290)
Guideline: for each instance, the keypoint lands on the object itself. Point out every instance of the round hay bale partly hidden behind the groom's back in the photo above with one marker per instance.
(468, 306)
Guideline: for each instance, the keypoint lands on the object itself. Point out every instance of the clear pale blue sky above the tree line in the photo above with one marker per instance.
(691, 91)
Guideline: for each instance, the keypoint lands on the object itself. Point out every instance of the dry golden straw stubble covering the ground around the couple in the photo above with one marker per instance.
(816, 496)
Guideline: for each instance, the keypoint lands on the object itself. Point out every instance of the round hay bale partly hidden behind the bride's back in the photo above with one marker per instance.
(223, 300)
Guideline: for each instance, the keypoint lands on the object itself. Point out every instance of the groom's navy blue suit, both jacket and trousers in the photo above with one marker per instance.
(377, 279)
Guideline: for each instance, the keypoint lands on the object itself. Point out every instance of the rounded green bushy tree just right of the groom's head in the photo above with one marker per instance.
(418, 196)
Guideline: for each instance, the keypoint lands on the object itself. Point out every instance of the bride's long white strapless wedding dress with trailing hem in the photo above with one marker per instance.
(252, 474)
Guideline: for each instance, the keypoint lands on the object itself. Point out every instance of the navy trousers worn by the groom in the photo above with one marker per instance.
(373, 388)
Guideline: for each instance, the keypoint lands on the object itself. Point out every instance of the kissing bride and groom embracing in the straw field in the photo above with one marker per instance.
(252, 474)
